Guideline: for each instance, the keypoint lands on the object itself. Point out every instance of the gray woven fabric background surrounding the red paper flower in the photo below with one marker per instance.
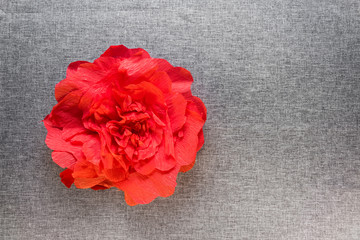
(281, 82)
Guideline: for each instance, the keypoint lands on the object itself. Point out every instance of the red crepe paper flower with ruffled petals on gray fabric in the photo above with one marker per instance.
(128, 121)
